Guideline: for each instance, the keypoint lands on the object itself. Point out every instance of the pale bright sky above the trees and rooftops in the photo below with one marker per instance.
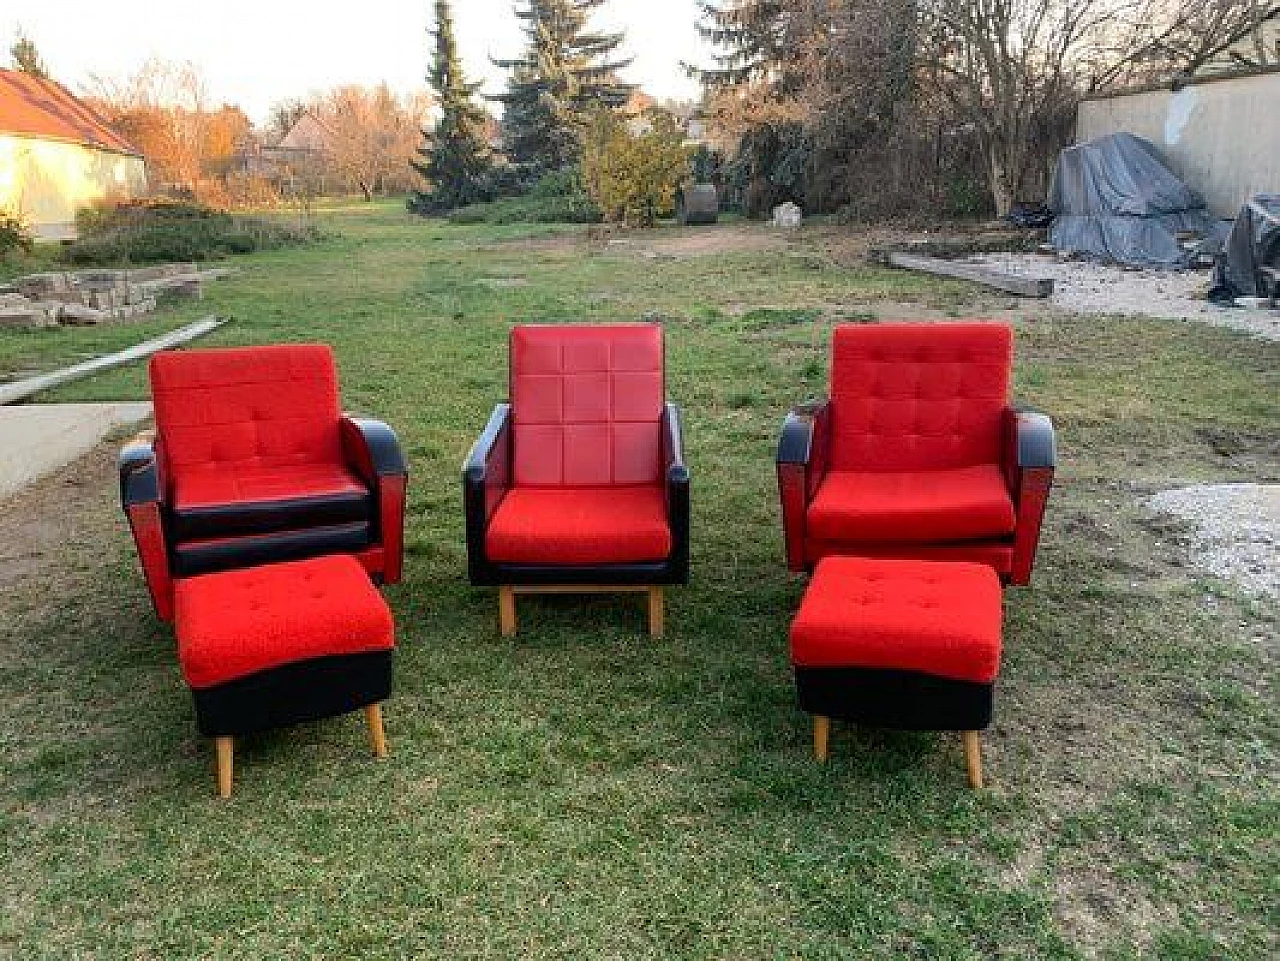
(257, 53)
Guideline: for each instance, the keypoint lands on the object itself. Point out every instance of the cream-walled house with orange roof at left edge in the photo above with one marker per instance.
(58, 154)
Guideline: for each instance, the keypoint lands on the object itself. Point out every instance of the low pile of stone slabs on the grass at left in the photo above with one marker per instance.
(85, 298)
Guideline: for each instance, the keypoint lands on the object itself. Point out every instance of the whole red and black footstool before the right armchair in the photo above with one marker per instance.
(899, 644)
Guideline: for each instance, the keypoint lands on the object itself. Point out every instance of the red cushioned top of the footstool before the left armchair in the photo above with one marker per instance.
(237, 624)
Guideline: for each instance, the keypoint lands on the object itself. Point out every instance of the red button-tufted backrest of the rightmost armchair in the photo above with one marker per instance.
(918, 396)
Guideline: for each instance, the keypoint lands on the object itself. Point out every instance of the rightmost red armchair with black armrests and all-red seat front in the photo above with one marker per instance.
(917, 454)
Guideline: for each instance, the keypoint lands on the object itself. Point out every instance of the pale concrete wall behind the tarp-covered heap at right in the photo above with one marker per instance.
(1222, 138)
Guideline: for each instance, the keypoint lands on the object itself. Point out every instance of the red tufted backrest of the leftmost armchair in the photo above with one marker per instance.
(254, 406)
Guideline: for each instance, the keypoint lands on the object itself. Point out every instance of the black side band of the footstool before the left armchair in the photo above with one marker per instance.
(308, 690)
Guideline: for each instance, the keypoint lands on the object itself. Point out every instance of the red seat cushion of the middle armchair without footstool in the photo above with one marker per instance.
(580, 527)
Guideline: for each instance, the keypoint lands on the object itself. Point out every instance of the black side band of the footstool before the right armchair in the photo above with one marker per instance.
(908, 701)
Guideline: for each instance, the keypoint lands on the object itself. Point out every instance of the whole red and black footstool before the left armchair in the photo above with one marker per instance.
(269, 647)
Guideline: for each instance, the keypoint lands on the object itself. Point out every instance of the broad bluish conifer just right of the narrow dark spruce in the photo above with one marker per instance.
(565, 74)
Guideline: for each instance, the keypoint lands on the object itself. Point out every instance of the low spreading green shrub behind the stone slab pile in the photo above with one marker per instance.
(150, 232)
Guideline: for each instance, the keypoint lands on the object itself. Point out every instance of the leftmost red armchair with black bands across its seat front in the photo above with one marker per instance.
(254, 463)
